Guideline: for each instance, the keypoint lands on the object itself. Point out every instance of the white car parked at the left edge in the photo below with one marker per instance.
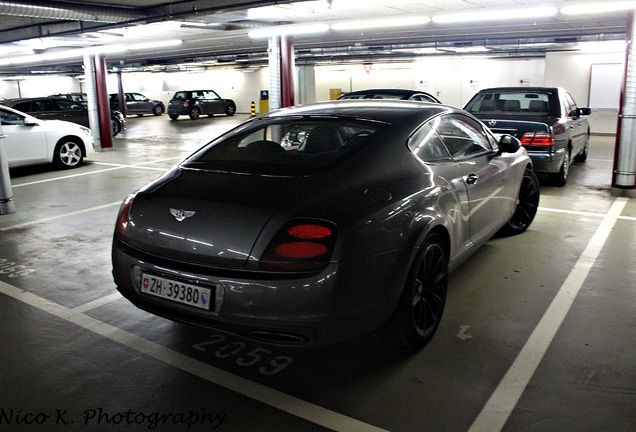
(28, 140)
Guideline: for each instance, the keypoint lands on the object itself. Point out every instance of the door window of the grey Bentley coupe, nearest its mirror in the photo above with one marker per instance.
(463, 136)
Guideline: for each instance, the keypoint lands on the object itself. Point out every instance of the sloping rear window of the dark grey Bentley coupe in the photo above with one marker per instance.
(291, 147)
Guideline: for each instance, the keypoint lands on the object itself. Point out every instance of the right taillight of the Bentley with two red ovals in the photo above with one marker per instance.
(304, 245)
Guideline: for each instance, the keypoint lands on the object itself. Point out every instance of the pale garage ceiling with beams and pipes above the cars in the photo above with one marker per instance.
(216, 32)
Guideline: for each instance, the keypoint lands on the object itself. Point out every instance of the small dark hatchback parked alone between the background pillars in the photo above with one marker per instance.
(195, 103)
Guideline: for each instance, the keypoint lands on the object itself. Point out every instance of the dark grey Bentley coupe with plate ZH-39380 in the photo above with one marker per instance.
(353, 230)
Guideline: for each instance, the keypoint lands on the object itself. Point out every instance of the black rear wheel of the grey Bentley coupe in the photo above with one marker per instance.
(420, 309)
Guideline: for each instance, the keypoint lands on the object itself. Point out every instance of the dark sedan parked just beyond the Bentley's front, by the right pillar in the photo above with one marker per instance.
(547, 121)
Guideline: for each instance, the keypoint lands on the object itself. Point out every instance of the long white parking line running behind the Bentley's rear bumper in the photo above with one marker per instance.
(268, 396)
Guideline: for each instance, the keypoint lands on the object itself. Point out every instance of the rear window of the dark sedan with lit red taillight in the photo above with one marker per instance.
(511, 103)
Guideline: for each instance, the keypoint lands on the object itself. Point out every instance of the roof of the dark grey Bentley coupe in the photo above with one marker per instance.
(372, 109)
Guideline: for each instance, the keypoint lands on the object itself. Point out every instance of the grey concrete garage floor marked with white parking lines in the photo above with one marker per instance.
(537, 335)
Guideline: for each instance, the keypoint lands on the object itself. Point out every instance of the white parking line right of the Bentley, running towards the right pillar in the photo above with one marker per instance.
(502, 402)
